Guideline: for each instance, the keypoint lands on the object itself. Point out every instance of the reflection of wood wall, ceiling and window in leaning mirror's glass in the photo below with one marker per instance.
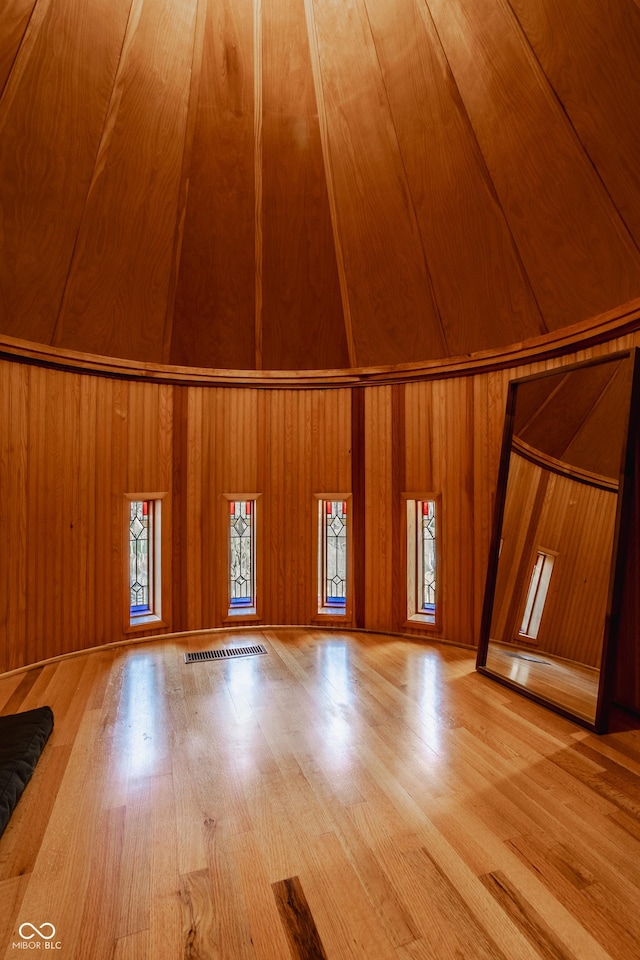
(549, 586)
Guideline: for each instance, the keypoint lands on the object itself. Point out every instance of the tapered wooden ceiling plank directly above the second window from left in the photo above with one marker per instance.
(216, 293)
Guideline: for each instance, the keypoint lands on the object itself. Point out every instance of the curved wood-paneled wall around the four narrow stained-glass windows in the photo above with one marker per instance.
(71, 444)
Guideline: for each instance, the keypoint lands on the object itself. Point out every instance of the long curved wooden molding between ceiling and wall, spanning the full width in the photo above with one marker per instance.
(607, 326)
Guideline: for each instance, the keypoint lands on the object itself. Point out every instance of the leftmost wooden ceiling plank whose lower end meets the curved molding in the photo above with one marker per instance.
(51, 116)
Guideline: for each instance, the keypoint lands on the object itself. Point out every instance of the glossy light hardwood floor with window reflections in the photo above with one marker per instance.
(345, 796)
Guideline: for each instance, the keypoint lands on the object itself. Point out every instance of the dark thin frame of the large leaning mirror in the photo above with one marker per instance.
(618, 553)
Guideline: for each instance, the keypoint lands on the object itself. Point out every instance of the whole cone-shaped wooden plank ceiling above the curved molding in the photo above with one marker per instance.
(295, 184)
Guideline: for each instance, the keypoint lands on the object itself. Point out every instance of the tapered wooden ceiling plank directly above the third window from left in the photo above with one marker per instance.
(303, 322)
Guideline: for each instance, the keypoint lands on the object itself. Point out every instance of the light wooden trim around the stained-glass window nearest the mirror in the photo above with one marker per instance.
(415, 618)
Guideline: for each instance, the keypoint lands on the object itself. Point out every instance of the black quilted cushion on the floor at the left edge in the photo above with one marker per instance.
(22, 740)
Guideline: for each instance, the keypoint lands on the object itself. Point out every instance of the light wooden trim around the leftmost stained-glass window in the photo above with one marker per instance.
(154, 618)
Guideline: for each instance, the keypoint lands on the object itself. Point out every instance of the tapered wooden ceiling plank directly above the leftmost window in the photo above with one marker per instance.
(116, 297)
